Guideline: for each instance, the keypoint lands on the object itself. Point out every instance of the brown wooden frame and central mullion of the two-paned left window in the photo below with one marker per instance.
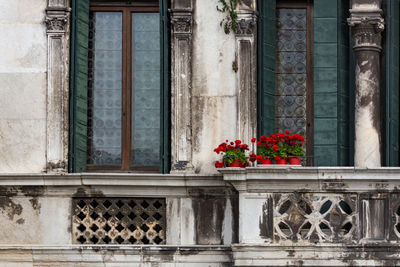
(127, 103)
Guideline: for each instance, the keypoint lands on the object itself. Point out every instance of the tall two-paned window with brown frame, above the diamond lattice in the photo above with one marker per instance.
(124, 86)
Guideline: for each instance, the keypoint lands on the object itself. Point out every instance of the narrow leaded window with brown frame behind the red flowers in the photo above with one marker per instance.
(293, 70)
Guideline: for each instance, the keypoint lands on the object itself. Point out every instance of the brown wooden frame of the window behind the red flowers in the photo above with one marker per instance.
(308, 5)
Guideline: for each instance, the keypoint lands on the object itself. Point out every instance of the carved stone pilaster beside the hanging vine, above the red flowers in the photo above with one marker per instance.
(246, 60)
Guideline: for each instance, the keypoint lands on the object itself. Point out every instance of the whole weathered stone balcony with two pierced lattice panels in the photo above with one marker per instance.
(263, 216)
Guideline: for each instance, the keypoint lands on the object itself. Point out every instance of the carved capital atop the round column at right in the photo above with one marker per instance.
(366, 29)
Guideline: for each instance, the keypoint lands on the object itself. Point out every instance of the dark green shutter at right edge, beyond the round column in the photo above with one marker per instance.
(392, 84)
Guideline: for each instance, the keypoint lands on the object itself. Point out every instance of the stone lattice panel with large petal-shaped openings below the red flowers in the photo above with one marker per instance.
(315, 217)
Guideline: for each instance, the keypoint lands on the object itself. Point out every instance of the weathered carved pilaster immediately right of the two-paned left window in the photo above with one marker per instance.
(181, 87)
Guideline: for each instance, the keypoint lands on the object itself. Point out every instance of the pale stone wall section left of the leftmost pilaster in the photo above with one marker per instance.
(23, 63)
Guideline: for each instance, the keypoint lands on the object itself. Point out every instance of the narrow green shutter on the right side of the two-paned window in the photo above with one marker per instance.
(165, 129)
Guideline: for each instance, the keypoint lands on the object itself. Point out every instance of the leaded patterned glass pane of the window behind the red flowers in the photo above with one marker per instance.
(291, 72)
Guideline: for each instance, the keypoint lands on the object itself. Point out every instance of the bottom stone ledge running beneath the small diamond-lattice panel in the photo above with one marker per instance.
(113, 255)
